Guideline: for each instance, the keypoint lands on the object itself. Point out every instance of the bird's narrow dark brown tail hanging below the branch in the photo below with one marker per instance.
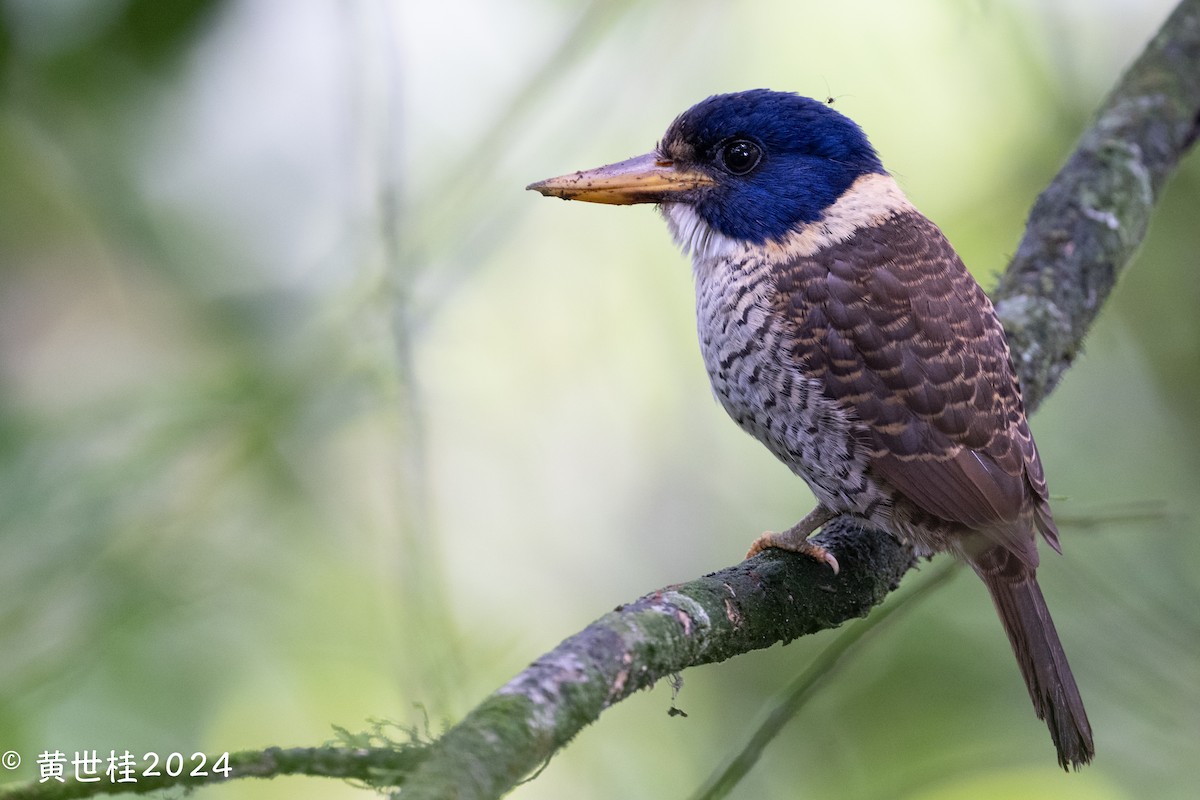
(1023, 610)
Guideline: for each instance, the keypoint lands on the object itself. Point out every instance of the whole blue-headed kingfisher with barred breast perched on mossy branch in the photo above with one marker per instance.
(842, 330)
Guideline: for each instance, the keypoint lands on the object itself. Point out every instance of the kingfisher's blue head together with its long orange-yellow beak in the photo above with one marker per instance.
(754, 165)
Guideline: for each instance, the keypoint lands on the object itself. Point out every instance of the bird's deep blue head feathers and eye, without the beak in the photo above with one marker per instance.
(777, 160)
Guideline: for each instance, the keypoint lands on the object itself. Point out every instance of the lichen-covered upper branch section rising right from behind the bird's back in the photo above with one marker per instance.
(1087, 226)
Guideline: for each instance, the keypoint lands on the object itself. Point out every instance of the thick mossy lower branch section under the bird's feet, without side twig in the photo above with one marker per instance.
(770, 599)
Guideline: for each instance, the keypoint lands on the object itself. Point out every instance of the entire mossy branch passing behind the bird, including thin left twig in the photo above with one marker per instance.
(1083, 232)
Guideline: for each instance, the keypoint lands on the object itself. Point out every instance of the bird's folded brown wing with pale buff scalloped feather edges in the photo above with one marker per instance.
(898, 332)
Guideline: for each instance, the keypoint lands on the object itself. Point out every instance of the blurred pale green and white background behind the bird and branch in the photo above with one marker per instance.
(311, 416)
